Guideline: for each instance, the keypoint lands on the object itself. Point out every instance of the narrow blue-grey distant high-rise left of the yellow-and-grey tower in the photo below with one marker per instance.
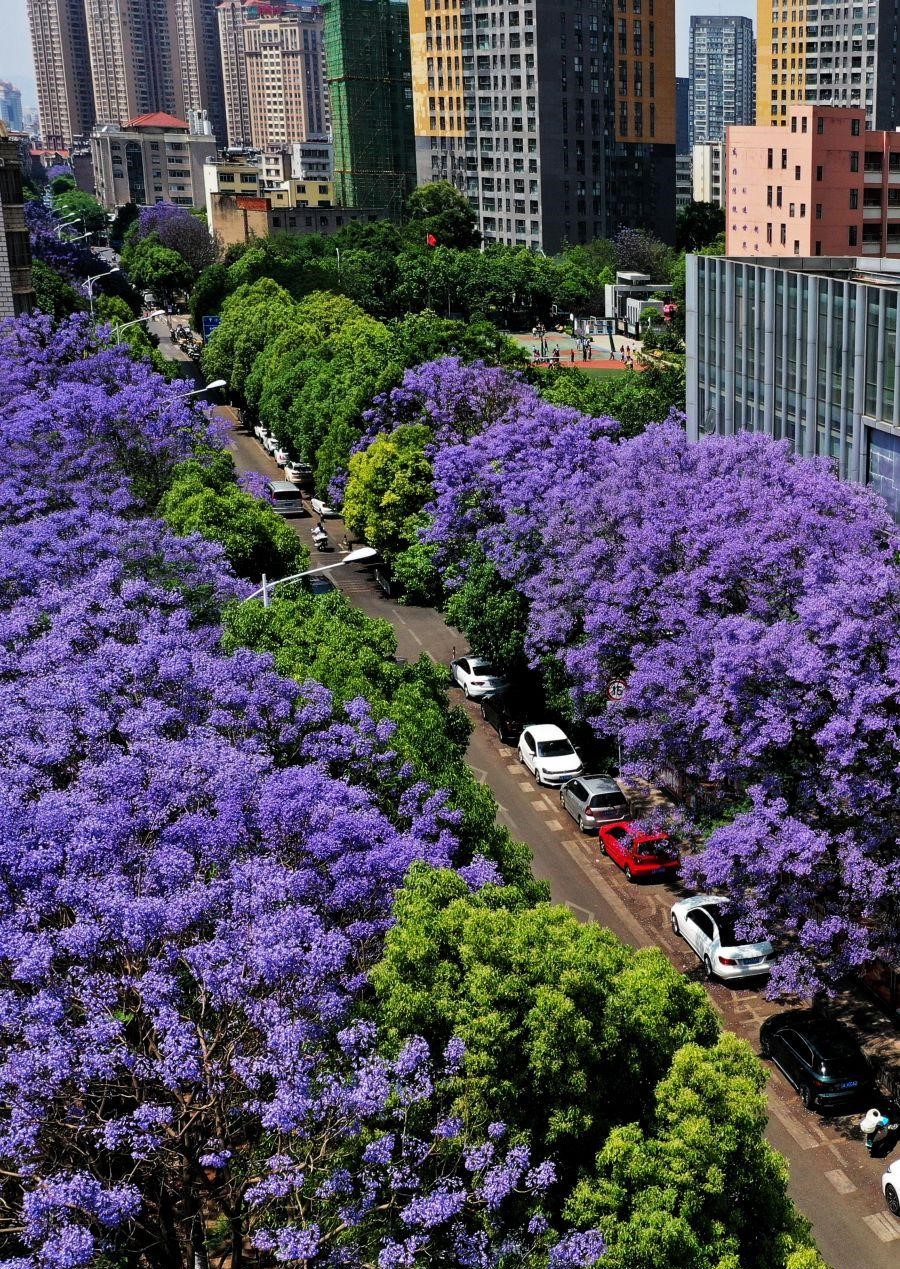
(723, 62)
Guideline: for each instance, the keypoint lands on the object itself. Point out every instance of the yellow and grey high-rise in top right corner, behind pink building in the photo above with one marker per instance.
(828, 55)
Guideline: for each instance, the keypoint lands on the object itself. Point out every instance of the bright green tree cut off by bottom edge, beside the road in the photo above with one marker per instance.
(698, 1187)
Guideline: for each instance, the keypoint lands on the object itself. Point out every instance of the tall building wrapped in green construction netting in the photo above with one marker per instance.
(367, 55)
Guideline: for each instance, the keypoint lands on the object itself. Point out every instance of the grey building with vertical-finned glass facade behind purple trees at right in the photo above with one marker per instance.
(807, 353)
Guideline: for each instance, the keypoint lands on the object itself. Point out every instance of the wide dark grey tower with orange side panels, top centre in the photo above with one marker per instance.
(557, 120)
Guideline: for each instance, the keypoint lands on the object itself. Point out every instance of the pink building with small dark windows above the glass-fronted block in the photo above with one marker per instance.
(822, 186)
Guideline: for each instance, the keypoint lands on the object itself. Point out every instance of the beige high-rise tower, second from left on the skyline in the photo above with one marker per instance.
(154, 55)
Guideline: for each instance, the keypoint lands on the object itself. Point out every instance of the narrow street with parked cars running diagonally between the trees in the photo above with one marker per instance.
(833, 1181)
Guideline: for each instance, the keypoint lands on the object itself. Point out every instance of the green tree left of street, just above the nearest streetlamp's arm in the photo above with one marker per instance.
(255, 537)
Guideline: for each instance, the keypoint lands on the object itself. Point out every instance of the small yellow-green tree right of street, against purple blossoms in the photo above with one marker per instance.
(388, 487)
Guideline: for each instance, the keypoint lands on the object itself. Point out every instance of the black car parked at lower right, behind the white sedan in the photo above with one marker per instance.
(819, 1058)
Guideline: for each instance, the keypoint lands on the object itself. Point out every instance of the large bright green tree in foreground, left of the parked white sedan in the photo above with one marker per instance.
(566, 1029)
